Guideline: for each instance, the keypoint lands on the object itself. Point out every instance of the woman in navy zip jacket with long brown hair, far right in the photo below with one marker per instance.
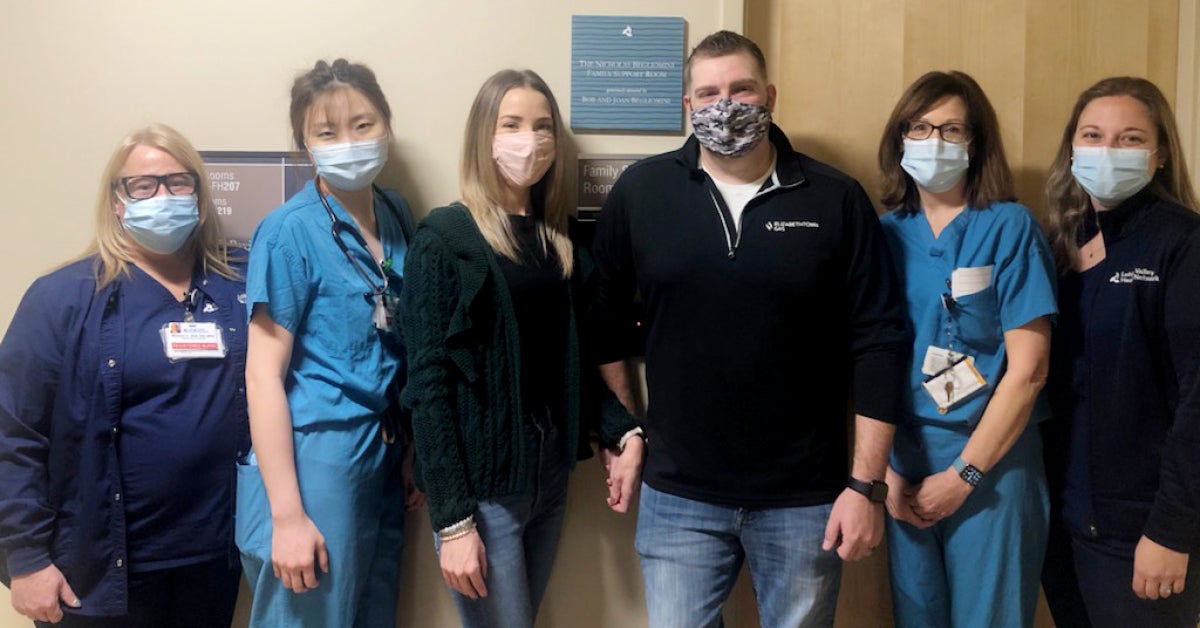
(1125, 382)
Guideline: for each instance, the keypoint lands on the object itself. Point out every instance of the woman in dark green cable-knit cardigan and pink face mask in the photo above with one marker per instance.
(496, 368)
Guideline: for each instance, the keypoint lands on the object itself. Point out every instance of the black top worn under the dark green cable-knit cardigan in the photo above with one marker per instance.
(541, 301)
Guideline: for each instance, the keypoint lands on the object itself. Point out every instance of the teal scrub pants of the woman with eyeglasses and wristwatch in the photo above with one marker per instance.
(981, 566)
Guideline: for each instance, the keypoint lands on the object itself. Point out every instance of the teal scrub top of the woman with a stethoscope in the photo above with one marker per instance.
(340, 368)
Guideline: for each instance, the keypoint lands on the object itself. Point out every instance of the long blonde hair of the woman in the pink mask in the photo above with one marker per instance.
(481, 180)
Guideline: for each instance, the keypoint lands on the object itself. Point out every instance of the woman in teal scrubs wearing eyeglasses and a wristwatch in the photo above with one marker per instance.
(967, 489)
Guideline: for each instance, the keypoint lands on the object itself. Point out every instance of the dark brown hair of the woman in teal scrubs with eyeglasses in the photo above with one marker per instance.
(988, 178)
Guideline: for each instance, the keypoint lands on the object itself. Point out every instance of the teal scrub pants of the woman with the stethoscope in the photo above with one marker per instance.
(352, 489)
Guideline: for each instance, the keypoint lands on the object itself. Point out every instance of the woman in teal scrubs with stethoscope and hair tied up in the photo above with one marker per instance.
(322, 495)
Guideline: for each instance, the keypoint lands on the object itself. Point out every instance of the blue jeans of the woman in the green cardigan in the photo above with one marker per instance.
(521, 535)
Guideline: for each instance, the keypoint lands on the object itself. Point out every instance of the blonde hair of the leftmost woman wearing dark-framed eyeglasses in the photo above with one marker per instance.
(112, 247)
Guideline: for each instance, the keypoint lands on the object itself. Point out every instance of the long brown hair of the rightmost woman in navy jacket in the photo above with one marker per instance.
(1070, 205)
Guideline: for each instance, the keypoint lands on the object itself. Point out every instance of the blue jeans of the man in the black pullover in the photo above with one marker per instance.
(692, 553)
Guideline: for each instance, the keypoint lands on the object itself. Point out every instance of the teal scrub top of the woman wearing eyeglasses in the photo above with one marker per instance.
(1022, 289)
